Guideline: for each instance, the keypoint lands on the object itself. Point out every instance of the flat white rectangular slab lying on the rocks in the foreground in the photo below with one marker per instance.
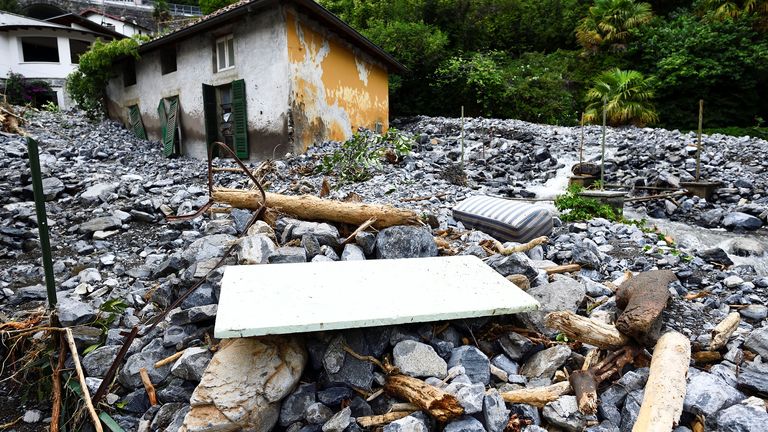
(259, 300)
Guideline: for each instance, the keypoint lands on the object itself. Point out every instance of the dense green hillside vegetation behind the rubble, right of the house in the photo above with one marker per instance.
(549, 60)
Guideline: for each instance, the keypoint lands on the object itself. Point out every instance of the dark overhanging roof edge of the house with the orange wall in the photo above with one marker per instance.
(243, 7)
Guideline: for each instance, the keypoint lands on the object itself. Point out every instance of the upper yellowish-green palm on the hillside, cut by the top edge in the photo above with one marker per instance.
(609, 21)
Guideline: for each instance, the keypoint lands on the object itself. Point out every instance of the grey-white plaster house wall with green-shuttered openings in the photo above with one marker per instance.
(260, 59)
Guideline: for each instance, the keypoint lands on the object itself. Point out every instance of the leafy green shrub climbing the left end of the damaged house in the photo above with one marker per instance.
(87, 84)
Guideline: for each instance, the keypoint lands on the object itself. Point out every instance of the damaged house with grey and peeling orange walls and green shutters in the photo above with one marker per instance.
(262, 76)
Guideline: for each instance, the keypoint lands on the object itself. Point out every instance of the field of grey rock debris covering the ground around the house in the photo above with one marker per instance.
(107, 194)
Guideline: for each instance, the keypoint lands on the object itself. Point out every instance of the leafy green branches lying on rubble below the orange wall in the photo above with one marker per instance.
(360, 156)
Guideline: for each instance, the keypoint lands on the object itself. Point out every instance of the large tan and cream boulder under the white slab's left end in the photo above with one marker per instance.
(242, 387)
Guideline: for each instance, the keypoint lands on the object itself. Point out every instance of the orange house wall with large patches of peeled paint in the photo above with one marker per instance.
(335, 88)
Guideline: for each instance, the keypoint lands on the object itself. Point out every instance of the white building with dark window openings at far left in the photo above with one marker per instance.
(43, 50)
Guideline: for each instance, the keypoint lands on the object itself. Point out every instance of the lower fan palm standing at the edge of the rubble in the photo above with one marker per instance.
(626, 95)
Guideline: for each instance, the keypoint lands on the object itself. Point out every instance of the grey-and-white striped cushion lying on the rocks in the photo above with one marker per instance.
(503, 219)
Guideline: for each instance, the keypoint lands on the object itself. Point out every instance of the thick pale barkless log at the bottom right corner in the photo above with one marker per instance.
(665, 390)
